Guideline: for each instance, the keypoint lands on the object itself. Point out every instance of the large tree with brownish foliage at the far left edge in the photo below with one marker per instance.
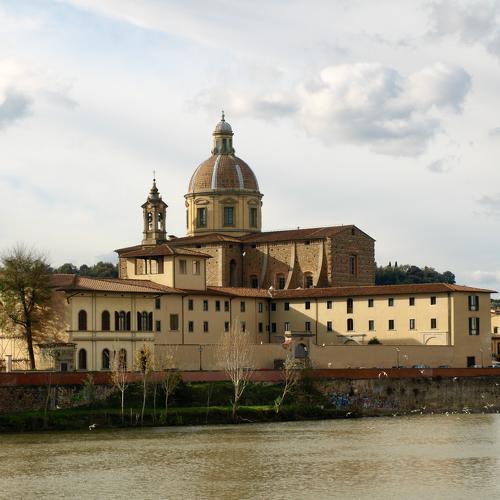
(26, 307)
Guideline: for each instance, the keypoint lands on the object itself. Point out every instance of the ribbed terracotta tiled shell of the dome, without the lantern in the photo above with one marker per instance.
(223, 172)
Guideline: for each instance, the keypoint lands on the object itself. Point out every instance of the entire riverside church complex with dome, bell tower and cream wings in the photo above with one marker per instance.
(306, 293)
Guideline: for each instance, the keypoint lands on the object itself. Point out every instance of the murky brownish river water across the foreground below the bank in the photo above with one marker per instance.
(428, 456)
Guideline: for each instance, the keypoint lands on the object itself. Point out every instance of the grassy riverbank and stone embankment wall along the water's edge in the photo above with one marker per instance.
(204, 403)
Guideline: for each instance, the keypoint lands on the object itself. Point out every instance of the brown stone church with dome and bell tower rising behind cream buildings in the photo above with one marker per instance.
(224, 221)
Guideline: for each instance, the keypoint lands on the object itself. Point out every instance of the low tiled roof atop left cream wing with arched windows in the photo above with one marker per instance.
(85, 283)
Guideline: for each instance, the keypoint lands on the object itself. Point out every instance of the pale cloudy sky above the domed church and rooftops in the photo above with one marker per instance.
(380, 114)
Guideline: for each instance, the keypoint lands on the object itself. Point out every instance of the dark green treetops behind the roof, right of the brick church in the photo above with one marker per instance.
(409, 274)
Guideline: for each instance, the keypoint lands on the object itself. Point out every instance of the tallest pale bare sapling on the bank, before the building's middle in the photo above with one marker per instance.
(235, 355)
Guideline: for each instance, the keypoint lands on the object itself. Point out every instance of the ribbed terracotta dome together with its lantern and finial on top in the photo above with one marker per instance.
(223, 170)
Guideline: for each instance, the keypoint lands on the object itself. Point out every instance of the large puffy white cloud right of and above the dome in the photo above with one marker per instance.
(362, 103)
